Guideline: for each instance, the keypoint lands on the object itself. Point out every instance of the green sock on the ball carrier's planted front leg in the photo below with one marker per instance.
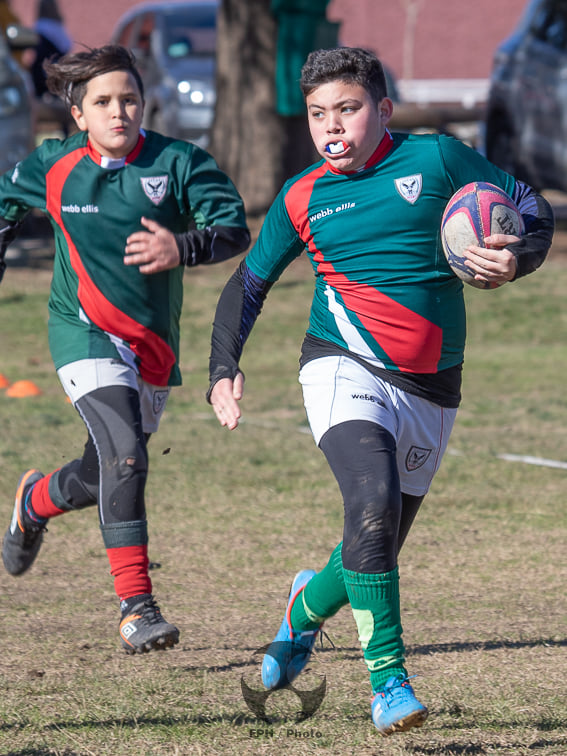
(375, 603)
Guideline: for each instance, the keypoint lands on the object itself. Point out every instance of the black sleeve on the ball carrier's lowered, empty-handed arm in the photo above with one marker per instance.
(239, 305)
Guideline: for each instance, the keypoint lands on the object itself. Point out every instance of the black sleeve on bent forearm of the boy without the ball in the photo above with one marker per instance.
(212, 244)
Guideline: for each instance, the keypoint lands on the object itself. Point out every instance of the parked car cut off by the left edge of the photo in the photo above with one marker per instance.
(16, 113)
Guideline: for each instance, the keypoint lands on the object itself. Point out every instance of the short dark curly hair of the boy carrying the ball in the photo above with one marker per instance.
(349, 64)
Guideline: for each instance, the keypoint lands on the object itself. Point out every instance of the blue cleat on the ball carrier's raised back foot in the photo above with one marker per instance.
(290, 650)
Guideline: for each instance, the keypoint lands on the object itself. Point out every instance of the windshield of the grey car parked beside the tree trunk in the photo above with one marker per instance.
(190, 32)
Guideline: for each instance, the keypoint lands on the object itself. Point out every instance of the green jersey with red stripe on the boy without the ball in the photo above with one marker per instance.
(97, 304)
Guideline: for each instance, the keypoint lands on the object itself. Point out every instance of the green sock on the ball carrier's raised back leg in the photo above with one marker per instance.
(322, 597)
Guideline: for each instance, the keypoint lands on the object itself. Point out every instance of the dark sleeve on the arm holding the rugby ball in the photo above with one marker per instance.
(532, 249)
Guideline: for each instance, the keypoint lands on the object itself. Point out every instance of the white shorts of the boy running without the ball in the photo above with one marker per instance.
(83, 376)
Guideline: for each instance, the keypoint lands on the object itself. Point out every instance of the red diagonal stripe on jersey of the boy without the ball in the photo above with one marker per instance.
(156, 356)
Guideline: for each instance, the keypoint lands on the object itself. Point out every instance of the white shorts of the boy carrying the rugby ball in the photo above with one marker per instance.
(337, 389)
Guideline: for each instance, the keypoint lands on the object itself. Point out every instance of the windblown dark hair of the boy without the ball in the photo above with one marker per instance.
(68, 76)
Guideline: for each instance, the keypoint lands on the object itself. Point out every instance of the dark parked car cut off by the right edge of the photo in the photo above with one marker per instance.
(526, 114)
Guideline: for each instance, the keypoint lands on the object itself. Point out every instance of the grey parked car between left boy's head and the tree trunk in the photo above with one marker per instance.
(175, 48)
